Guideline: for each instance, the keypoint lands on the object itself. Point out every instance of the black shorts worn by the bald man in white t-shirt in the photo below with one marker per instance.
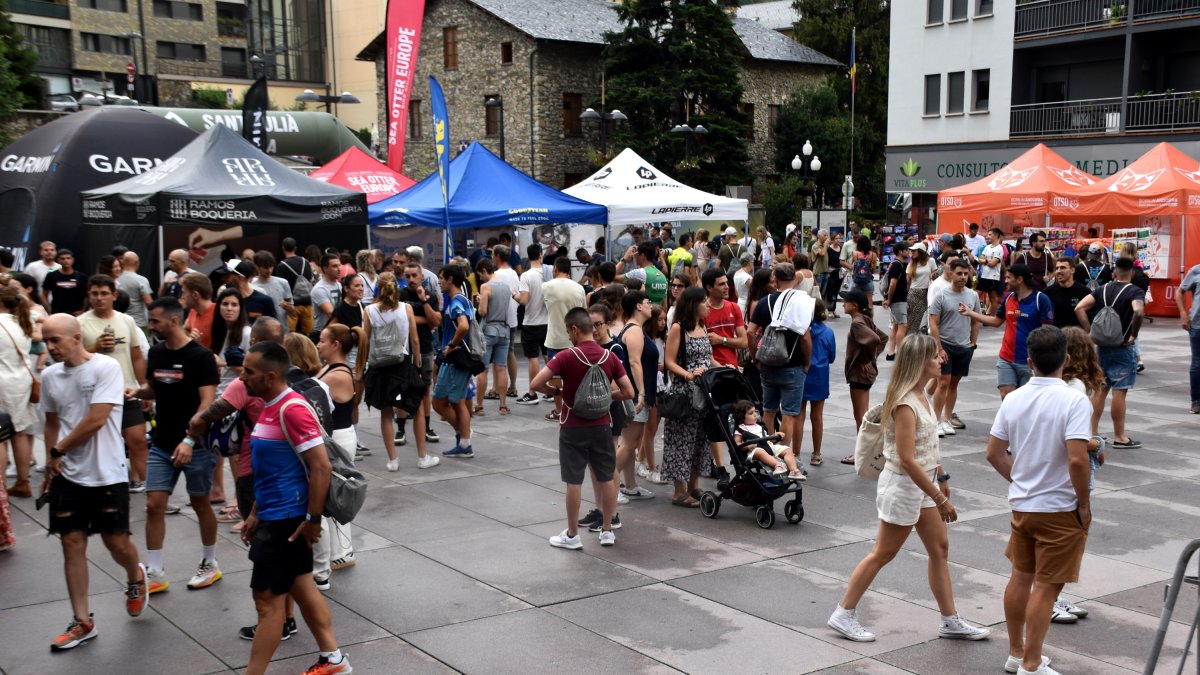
(104, 510)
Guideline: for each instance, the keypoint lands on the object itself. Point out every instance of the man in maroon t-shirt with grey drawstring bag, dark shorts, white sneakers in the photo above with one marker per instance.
(584, 441)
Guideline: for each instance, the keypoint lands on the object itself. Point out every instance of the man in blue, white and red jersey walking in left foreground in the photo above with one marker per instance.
(292, 475)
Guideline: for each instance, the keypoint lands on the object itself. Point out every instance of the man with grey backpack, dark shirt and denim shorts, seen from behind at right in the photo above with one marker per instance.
(1114, 326)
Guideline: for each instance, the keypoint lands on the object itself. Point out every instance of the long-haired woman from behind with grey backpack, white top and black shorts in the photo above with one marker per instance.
(393, 357)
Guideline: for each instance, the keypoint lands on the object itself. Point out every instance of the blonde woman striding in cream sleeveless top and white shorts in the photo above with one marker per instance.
(913, 492)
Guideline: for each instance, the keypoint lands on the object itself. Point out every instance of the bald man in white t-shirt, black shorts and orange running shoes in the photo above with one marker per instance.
(82, 397)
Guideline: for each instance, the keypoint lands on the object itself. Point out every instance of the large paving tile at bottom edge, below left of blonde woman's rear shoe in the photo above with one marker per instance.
(699, 636)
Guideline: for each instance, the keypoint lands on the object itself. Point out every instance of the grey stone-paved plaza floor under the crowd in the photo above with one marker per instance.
(454, 572)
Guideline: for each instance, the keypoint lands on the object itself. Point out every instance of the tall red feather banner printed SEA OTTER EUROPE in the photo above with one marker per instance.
(404, 40)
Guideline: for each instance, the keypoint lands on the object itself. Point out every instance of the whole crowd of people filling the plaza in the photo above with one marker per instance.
(266, 361)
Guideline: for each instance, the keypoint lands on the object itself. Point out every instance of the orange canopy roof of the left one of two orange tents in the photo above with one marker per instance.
(1031, 184)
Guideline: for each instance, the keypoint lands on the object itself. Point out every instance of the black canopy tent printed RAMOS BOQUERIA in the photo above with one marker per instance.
(224, 189)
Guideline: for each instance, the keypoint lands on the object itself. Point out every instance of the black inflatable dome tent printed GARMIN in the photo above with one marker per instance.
(41, 170)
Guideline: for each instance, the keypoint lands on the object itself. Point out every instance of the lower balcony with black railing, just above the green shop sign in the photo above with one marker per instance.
(1173, 111)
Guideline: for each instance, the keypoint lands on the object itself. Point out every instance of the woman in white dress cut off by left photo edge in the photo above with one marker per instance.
(16, 385)
